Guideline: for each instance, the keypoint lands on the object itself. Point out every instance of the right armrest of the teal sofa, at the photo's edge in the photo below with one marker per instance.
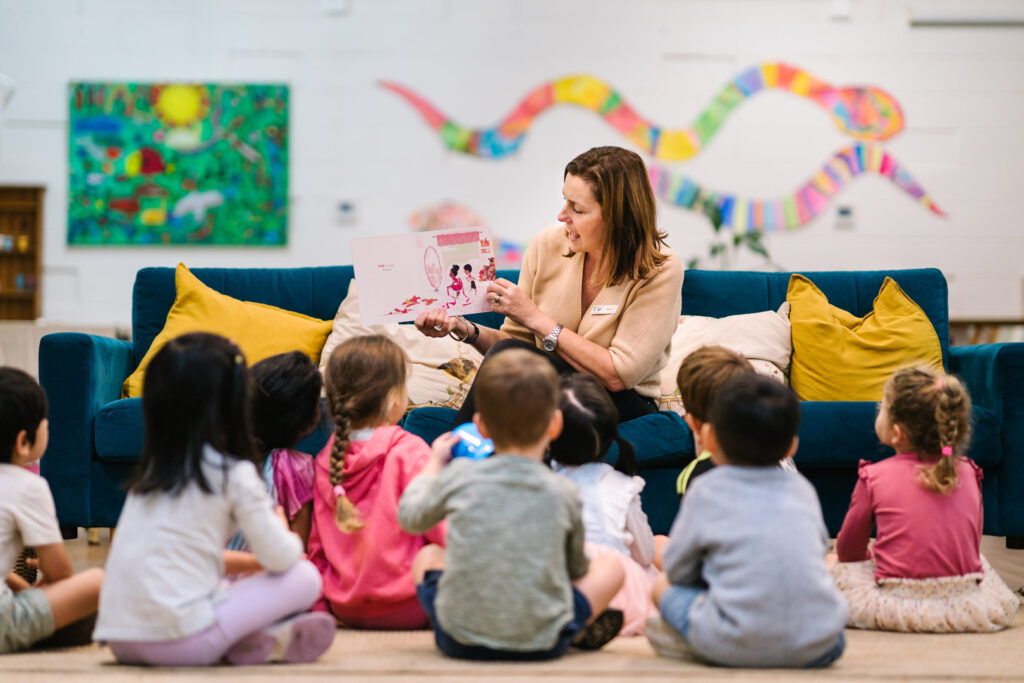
(995, 375)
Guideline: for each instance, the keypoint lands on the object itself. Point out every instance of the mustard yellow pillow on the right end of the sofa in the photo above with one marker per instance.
(838, 357)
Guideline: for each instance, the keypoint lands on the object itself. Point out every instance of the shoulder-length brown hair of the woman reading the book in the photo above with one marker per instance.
(632, 241)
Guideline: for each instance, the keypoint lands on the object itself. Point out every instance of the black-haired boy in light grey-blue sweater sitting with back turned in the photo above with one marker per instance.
(746, 583)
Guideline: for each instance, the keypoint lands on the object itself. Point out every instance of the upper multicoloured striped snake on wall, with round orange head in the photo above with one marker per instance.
(861, 112)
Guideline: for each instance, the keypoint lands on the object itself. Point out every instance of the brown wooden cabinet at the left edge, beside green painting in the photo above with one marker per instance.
(21, 252)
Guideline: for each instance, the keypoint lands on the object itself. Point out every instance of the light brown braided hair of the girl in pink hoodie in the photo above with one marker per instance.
(361, 375)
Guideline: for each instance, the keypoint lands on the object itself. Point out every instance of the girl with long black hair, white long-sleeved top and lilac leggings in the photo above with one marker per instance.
(163, 603)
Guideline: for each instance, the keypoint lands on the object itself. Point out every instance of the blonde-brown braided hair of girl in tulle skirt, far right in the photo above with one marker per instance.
(934, 410)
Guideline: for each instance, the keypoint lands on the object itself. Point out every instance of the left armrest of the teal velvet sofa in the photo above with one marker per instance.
(81, 374)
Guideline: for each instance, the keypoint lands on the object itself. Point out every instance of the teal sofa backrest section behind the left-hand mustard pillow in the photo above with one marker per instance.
(317, 292)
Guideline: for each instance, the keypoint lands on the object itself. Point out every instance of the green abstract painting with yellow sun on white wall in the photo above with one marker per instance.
(178, 163)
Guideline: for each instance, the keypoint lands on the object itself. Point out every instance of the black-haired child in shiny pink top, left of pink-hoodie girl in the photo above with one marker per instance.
(285, 401)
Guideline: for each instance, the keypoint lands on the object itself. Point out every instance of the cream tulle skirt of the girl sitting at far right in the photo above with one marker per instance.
(975, 604)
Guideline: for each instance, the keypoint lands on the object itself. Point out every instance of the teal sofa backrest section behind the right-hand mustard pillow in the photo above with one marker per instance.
(721, 293)
